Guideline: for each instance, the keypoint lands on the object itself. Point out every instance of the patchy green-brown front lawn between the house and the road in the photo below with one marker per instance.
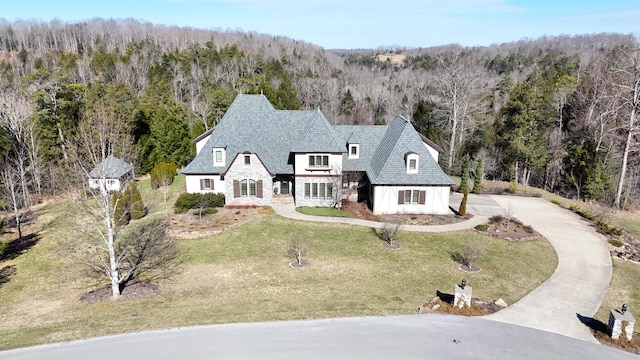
(243, 275)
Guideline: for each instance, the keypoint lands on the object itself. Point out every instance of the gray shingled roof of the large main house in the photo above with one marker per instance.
(252, 124)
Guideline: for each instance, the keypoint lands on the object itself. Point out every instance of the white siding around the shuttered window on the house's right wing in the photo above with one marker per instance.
(385, 200)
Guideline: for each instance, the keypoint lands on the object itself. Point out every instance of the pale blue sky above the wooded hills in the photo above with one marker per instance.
(358, 23)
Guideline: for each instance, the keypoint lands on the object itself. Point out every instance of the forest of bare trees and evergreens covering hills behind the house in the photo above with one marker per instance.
(559, 112)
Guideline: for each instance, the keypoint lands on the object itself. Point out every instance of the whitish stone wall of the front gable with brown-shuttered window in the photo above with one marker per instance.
(255, 171)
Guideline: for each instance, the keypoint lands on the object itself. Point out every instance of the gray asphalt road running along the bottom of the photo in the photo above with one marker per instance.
(393, 337)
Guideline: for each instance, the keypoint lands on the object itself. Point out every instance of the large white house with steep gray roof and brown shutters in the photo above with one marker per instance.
(256, 151)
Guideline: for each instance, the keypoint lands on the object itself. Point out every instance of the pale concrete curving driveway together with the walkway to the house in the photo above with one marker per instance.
(579, 283)
